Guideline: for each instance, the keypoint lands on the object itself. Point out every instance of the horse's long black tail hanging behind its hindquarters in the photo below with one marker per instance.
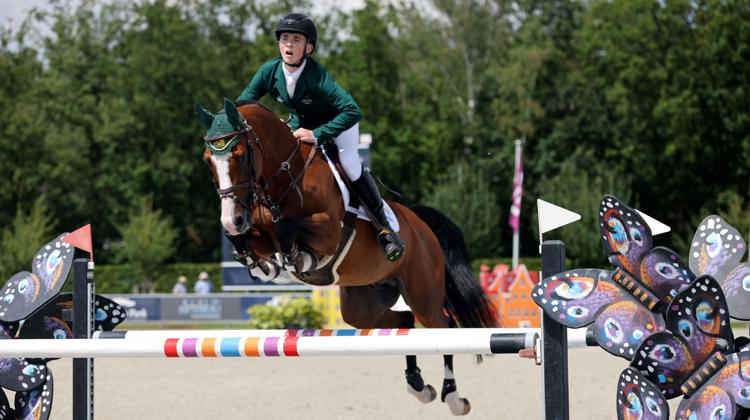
(465, 300)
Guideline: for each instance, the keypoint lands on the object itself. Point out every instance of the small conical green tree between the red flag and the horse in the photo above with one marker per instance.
(147, 241)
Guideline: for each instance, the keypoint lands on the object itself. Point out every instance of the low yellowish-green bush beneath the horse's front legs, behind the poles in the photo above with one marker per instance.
(296, 313)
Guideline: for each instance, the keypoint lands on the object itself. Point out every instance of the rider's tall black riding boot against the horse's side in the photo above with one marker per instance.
(369, 196)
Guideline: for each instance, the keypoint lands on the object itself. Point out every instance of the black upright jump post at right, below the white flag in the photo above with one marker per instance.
(554, 344)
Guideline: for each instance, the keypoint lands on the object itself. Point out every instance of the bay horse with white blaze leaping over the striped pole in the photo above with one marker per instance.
(279, 197)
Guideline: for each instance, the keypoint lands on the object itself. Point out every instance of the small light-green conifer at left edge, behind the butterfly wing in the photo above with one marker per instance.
(26, 234)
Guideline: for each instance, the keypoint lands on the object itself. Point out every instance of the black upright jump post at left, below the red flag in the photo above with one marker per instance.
(83, 327)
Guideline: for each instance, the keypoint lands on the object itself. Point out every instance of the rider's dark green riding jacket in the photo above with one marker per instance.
(319, 103)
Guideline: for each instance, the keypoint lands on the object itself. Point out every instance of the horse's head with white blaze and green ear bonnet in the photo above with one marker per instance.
(230, 156)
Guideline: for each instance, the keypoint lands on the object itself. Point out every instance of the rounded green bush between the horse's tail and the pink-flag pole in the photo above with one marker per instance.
(467, 199)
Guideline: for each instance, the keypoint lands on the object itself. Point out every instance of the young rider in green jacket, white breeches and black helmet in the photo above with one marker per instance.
(320, 112)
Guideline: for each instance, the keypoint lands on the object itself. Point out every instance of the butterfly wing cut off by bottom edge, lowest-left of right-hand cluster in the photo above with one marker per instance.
(639, 398)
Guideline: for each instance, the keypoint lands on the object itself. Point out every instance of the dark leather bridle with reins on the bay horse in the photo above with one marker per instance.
(259, 186)
